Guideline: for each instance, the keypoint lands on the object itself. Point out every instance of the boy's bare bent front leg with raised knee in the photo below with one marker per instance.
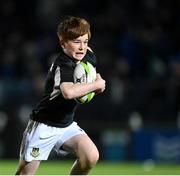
(85, 150)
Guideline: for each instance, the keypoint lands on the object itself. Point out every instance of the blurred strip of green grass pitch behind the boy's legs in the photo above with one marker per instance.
(103, 168)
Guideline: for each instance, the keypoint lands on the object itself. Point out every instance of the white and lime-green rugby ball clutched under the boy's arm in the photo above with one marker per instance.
(84, 73)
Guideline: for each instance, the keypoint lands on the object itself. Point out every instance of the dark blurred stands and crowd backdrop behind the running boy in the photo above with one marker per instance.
(137, 44)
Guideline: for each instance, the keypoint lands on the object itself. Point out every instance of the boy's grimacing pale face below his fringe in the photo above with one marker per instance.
(76, 48)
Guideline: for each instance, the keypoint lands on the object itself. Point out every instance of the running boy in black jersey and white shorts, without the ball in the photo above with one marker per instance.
(51, 124)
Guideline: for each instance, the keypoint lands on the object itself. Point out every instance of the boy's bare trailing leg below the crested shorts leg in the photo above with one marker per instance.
(27, 168)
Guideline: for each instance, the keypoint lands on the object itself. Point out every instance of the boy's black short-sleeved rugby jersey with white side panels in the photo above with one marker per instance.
(53, 109)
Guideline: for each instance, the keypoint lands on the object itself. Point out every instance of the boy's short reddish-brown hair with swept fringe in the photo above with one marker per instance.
(73, 27)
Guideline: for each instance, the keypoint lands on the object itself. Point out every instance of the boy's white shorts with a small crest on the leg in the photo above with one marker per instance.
(39, 139)
